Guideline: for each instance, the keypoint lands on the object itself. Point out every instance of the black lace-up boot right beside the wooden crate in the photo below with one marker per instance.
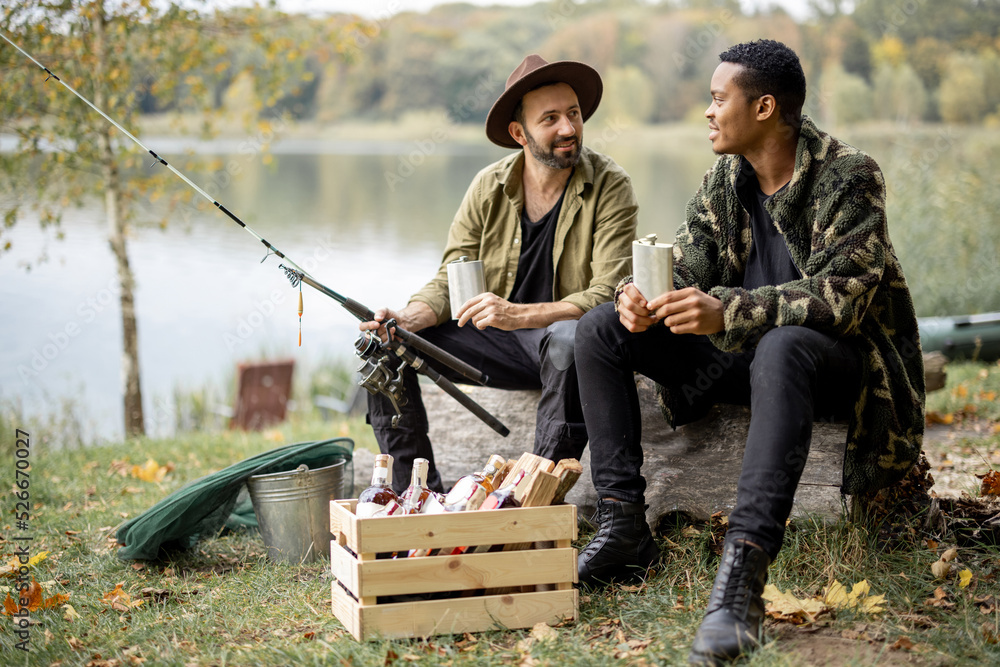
(623, 547)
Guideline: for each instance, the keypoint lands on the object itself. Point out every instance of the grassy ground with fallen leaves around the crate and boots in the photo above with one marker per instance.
(224, 603)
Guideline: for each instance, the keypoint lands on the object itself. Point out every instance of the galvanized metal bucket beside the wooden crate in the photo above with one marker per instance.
(293, 511)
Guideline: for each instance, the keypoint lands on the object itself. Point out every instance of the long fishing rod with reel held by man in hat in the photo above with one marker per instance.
(379, 373)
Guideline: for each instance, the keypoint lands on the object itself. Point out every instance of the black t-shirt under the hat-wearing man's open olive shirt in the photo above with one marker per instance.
(535, 269)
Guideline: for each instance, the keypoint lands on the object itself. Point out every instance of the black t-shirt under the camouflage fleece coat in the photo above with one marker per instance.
(769, 263)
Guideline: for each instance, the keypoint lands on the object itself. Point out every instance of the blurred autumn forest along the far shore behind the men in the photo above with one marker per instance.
(896, 60)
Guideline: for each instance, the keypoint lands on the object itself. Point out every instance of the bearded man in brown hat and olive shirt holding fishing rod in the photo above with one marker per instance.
(552, 225)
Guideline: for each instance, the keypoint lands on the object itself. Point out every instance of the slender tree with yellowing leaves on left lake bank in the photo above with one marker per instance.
(123, 55)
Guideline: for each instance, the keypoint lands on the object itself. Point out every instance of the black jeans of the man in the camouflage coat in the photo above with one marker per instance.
(794, 377)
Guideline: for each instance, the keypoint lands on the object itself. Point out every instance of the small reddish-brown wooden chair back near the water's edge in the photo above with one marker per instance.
(262, 393)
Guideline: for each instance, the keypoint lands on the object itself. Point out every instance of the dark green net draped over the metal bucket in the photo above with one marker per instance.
(203, 507)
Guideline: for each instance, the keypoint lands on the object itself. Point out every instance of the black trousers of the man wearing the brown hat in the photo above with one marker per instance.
(523, 359)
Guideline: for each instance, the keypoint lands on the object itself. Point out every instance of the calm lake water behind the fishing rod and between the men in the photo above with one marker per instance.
(204, 299)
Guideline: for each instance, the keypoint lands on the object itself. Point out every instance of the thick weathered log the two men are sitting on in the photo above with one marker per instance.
(692, 470)
